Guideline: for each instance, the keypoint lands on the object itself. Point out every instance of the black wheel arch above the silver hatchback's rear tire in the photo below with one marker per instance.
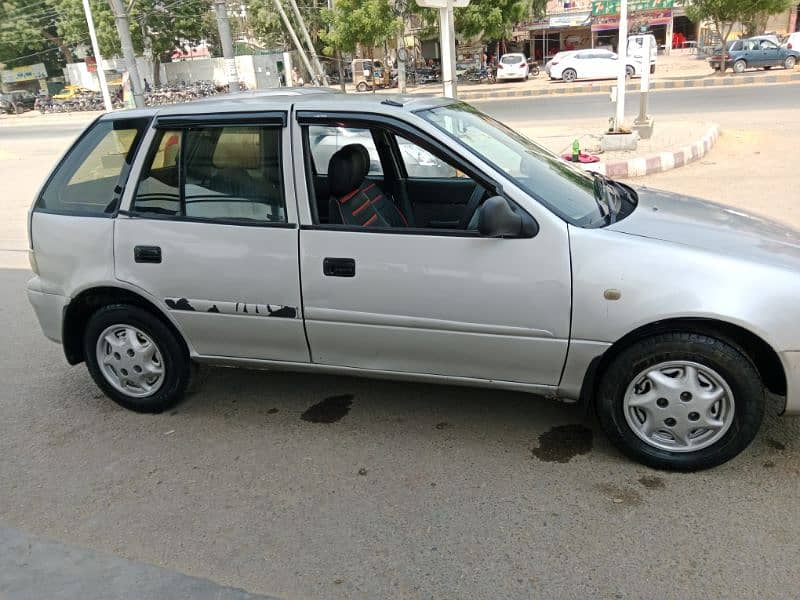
(88, 301)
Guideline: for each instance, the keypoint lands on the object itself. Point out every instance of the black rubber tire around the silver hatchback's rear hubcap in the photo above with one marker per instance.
(176, 363)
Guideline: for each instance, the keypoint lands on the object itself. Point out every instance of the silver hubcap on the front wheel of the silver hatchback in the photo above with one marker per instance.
(680, 406)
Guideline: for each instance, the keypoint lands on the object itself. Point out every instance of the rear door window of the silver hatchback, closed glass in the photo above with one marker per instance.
(230, 174)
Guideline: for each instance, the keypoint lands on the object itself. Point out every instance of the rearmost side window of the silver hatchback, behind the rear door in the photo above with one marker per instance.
(90, 179)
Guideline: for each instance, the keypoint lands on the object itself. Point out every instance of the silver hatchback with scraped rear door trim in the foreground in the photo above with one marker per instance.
(431, 244)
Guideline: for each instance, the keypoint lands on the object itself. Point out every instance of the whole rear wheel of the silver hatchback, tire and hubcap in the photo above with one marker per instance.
(135, 358)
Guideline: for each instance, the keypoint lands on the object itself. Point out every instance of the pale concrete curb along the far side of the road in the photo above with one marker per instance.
(559, 89)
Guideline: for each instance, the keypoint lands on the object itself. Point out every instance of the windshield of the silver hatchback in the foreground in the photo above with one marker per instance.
(568, 191)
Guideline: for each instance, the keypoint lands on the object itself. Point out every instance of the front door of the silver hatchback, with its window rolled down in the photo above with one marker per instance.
(431, 296)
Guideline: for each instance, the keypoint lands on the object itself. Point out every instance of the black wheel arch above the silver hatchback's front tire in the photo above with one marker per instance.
(761, 354)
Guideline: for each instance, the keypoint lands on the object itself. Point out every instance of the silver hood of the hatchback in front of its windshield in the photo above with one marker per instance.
(712, 227)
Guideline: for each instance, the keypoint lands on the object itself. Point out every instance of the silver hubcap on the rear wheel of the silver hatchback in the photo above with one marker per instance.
(130, 361)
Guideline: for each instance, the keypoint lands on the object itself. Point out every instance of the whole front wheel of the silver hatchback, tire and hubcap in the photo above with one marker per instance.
(681, 401)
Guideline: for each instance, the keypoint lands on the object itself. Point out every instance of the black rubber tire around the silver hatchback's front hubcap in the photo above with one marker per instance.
(725, 358)
